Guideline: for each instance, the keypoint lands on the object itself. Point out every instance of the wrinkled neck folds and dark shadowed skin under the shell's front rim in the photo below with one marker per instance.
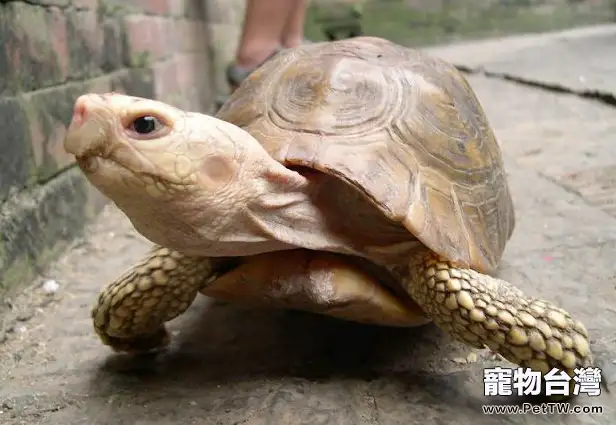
(321, 212)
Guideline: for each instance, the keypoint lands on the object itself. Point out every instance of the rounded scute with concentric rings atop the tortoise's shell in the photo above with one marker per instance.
(335, 99)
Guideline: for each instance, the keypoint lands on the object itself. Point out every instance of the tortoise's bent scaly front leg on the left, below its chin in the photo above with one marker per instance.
(130, 313)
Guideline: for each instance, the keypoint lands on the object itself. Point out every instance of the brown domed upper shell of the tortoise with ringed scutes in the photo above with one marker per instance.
(403, 128)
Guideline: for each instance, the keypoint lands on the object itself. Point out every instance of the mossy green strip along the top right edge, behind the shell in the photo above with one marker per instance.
(394, 20)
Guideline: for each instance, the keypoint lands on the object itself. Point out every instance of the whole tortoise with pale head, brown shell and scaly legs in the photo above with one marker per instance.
(359, 148)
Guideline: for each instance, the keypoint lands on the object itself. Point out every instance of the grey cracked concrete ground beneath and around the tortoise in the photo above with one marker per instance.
(234, 365)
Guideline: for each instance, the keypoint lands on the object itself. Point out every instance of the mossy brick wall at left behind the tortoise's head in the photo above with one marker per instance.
(53, 51)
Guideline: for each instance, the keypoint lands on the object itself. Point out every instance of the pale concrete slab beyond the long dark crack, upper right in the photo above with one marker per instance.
(578, 60)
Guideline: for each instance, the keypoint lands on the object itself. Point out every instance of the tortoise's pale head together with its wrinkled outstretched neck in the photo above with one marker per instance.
(187, 181)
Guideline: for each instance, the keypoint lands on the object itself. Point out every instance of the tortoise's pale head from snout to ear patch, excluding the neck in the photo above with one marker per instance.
(142, 149)
